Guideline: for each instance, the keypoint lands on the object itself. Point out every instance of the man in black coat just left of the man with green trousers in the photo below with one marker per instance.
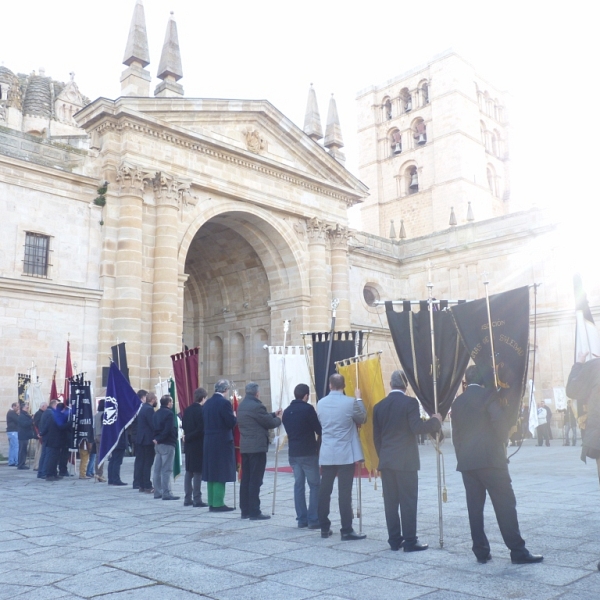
(193, 429)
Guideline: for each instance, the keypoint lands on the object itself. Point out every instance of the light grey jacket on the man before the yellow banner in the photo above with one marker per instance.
(339, 415)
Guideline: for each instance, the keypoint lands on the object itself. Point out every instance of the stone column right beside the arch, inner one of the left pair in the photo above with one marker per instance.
(166, 329)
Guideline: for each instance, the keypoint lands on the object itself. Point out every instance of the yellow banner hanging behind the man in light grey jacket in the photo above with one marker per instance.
(370, 384)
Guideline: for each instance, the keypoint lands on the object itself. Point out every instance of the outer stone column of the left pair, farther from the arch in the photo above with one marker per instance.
(128, 268)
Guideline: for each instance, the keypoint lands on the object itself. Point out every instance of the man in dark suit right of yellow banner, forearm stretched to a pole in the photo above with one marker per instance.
(396, 424)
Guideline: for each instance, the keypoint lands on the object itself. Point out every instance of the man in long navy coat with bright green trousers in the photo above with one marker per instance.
(218, 460)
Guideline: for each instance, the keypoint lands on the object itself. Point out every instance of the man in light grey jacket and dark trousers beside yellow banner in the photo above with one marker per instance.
(340, 450)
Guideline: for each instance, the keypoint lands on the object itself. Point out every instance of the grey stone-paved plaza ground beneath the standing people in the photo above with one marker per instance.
(79, 539)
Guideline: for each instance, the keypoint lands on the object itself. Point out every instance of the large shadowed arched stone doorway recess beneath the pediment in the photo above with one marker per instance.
(243, 280)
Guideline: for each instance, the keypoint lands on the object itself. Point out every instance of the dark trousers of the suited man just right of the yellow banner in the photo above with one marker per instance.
(400, 489)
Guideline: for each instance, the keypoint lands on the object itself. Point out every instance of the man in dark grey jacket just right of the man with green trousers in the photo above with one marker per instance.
(254, 422)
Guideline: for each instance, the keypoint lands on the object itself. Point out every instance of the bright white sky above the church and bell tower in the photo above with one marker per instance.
(544, 54)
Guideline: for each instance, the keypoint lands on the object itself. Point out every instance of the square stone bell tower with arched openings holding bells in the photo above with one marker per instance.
(433, 149)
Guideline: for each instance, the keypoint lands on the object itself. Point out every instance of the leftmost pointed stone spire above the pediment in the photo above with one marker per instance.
(135, 80)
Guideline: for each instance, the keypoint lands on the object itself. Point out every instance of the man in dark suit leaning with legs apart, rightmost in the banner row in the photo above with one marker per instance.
(480, 425)
